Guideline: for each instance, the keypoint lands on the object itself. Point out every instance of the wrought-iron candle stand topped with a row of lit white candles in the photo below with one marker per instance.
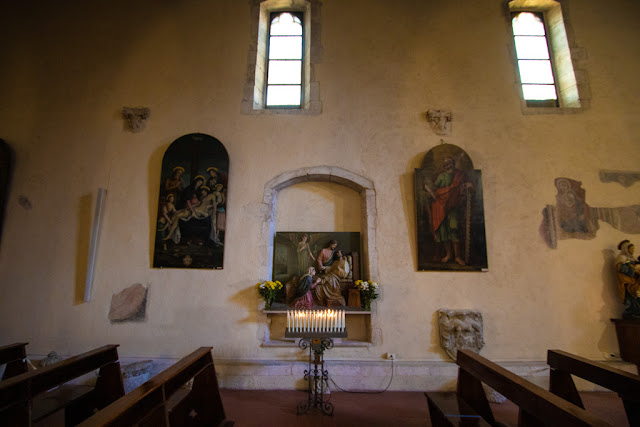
(316, 330)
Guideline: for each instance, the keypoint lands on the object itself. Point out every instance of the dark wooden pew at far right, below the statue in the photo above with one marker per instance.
(564, 364)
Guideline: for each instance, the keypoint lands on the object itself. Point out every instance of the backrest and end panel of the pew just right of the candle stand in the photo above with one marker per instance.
(536, 404)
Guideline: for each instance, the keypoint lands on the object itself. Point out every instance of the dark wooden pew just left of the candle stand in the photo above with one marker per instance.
(163, 401)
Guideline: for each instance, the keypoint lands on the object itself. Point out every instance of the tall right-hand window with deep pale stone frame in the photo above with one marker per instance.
(546, 63)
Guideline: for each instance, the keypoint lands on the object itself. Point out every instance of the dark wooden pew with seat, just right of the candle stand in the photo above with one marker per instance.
(469, 405)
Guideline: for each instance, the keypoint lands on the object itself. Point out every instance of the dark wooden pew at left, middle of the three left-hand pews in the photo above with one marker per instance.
(32, 396)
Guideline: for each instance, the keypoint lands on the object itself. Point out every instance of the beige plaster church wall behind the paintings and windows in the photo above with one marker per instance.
(69, 69)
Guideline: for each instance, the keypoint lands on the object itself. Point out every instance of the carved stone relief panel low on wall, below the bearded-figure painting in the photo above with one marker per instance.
(460, 329)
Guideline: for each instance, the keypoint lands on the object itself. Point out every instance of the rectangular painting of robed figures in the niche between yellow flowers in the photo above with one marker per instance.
(317, 269)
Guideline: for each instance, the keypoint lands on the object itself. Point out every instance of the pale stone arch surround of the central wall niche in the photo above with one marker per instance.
(336, 175)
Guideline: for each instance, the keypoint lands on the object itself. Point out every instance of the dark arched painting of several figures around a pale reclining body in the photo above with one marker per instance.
(192, 206)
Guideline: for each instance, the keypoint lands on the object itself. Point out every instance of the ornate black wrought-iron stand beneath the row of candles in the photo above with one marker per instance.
(317, 377)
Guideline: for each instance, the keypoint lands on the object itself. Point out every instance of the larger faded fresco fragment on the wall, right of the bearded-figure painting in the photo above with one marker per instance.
(572, 218)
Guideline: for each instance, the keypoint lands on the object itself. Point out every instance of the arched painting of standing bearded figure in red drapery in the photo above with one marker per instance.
(450, 212)
